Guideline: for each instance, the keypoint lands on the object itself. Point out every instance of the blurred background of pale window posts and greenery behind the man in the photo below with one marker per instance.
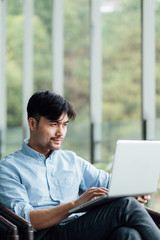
(102, 55)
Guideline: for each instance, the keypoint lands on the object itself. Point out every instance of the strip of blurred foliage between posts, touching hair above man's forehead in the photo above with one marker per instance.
(76, 55)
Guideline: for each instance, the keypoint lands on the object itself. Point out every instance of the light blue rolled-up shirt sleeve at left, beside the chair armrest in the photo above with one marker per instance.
(13, 193)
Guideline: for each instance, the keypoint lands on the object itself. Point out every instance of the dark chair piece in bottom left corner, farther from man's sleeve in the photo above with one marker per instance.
(8, 231)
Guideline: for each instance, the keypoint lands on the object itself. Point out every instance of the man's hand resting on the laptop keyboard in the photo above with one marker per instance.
(90, 194)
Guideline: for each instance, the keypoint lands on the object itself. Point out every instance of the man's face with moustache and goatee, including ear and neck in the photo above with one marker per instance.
(48, 135)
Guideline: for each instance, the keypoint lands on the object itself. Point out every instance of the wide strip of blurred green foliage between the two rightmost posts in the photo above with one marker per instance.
(122, 63)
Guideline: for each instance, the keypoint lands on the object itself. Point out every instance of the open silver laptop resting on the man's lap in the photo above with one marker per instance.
(135, 172)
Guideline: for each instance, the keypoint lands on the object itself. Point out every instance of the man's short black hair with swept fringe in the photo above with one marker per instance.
(49, 105)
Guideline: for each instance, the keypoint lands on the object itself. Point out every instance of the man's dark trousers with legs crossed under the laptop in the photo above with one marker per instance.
(123, 219)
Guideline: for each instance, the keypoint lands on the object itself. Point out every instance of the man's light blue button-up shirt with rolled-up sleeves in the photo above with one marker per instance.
(30, 181)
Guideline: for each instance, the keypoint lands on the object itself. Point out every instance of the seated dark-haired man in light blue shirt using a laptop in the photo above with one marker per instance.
(41, 183)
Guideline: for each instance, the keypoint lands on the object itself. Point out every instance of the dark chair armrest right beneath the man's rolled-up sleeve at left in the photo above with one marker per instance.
(24, 227)
